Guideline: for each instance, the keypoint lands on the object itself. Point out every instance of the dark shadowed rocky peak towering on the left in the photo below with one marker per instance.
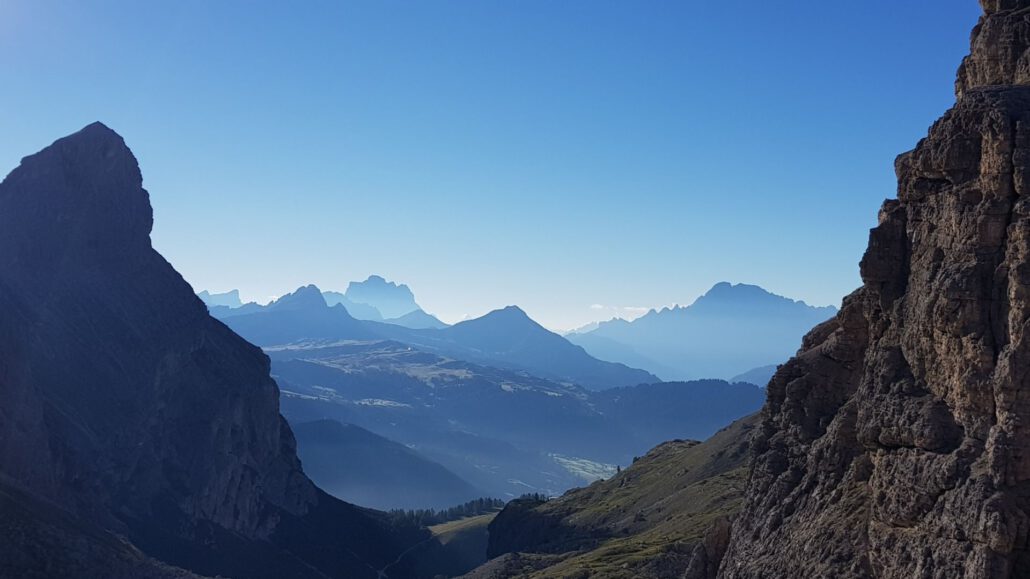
(126, 406)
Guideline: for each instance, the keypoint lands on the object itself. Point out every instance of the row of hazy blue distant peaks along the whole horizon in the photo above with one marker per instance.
(730, 331)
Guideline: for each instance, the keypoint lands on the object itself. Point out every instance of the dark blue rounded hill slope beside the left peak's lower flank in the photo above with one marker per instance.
(364, 468)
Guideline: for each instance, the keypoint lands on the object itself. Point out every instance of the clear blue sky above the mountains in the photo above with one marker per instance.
(579, 158)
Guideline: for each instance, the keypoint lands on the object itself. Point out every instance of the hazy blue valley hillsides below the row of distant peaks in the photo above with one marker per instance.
(503, 431)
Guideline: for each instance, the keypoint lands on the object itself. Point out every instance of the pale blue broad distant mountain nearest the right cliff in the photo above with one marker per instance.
(730, 330)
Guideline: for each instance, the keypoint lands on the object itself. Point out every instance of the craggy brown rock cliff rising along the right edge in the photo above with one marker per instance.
(896, 445)
